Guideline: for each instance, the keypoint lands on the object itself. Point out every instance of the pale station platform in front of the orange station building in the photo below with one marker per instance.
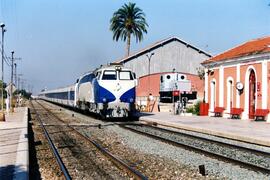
(255, 132)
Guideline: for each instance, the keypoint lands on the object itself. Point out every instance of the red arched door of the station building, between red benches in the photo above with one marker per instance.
(252, 94)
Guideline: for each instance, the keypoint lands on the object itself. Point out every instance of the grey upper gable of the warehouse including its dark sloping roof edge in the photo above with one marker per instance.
(169, 54)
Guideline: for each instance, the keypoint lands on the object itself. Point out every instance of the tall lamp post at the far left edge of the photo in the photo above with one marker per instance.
(2, 25)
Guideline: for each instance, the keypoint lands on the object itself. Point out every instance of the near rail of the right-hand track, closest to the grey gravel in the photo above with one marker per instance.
(199, 150)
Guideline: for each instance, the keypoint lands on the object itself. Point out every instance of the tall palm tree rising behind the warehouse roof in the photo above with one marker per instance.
(128, 20)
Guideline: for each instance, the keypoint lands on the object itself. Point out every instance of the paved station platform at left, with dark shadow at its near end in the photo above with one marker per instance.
(14, 152)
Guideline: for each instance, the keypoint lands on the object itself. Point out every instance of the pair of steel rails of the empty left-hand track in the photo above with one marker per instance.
(115, 160)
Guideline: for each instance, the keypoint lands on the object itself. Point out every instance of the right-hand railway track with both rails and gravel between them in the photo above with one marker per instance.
(227, 152)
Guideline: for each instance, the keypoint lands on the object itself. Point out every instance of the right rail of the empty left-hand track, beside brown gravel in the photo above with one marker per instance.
(118, 162)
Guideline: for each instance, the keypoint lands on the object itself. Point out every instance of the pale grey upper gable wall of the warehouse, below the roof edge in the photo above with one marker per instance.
(171, 55)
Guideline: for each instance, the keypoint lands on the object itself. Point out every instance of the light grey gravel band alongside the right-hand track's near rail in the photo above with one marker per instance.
(214, 167)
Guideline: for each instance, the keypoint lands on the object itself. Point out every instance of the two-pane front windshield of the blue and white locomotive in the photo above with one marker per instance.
(112, 75)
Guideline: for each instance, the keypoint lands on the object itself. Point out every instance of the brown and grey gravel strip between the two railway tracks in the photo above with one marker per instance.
(159, 160)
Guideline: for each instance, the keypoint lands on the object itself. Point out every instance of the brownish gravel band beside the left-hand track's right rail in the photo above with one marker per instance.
(153, 166)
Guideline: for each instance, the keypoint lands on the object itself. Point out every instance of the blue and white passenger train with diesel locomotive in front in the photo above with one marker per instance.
(108, 91)
